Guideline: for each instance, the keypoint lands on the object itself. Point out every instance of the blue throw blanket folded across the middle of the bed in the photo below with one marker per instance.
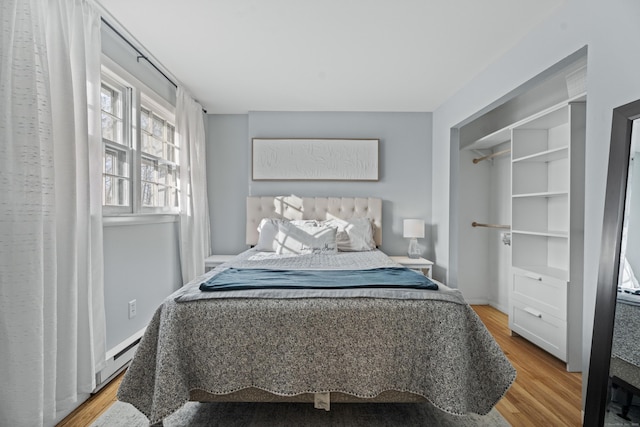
(234, 279)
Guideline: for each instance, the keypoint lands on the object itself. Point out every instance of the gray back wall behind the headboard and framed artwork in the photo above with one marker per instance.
(405, 169)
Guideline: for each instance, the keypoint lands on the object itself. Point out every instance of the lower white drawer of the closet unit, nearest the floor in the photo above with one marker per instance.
(542, 329)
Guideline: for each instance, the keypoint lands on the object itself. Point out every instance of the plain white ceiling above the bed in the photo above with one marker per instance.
(236, 56)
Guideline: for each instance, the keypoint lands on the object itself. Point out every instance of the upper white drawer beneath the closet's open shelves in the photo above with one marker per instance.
(542, 293)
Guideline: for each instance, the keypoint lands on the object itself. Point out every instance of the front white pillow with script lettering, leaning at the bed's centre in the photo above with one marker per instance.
(305, 239)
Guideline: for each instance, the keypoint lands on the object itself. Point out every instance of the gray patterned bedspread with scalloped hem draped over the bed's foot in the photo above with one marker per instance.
(434, 347)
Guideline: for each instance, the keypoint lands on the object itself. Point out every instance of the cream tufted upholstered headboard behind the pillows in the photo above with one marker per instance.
(320, 208)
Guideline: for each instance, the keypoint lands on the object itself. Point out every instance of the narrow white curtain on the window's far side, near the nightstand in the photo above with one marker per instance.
(194, 218)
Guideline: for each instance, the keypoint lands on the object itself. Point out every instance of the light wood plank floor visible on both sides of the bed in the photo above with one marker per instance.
(544, 393)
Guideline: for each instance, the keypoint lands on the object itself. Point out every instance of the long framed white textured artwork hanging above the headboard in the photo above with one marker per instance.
(319, 159)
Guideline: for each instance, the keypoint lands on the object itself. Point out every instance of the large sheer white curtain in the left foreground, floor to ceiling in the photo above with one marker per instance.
(52, 331)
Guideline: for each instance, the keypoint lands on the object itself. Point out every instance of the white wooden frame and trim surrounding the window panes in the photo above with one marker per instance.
(138, 94)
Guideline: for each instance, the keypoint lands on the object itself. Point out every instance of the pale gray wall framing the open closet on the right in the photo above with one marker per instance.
(609, 29)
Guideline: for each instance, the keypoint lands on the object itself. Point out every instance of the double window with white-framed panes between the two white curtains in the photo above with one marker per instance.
(141, 167)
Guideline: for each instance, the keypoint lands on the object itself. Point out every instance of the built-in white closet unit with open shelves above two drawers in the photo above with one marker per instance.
(547, 208)
